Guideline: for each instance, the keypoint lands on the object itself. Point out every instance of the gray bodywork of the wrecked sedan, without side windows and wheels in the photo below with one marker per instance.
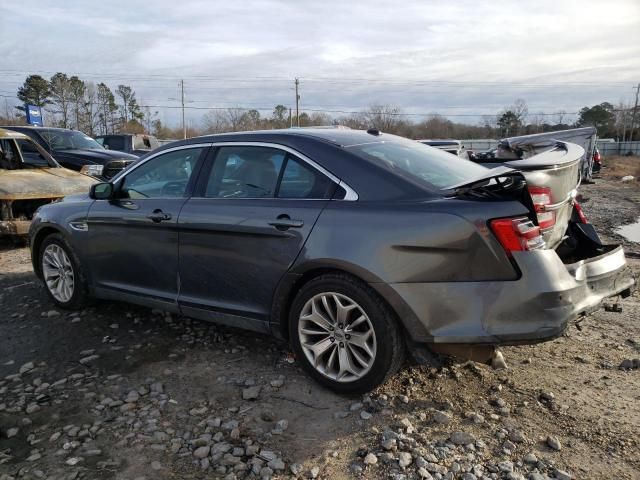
(431, 254)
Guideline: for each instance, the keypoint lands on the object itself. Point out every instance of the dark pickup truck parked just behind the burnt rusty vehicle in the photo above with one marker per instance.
(75, 150)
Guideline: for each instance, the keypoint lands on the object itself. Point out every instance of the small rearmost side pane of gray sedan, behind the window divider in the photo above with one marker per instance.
(300, 180)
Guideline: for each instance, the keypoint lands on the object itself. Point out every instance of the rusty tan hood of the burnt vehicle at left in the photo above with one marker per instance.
(42, 183)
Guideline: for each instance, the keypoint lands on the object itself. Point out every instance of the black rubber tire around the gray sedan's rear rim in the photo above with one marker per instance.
(390, 349)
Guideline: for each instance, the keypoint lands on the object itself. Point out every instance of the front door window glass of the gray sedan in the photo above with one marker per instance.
(164, 176)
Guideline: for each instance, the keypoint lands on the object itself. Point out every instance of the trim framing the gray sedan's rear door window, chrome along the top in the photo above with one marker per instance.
(350, 196)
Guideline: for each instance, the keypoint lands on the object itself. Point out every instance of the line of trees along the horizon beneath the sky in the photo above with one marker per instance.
(96, 109)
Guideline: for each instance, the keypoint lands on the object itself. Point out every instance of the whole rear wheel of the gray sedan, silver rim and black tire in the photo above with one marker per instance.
(334, 314)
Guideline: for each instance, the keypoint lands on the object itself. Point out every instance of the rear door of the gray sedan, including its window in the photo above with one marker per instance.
(254, 210)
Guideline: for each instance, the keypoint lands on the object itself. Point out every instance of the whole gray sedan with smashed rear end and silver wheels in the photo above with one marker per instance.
(353, 246)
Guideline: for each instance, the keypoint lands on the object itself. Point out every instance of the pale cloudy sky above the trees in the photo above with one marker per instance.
(459, 58)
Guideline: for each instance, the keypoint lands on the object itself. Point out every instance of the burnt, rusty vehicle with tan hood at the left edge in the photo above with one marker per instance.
(30, 178)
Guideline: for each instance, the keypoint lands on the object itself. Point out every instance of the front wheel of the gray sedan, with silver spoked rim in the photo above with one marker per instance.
(55, 250)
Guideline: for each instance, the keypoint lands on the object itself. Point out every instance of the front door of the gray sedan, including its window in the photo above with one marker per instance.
(133, 238)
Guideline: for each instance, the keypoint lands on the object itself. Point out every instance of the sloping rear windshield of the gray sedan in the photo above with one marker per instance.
(429, 166)
